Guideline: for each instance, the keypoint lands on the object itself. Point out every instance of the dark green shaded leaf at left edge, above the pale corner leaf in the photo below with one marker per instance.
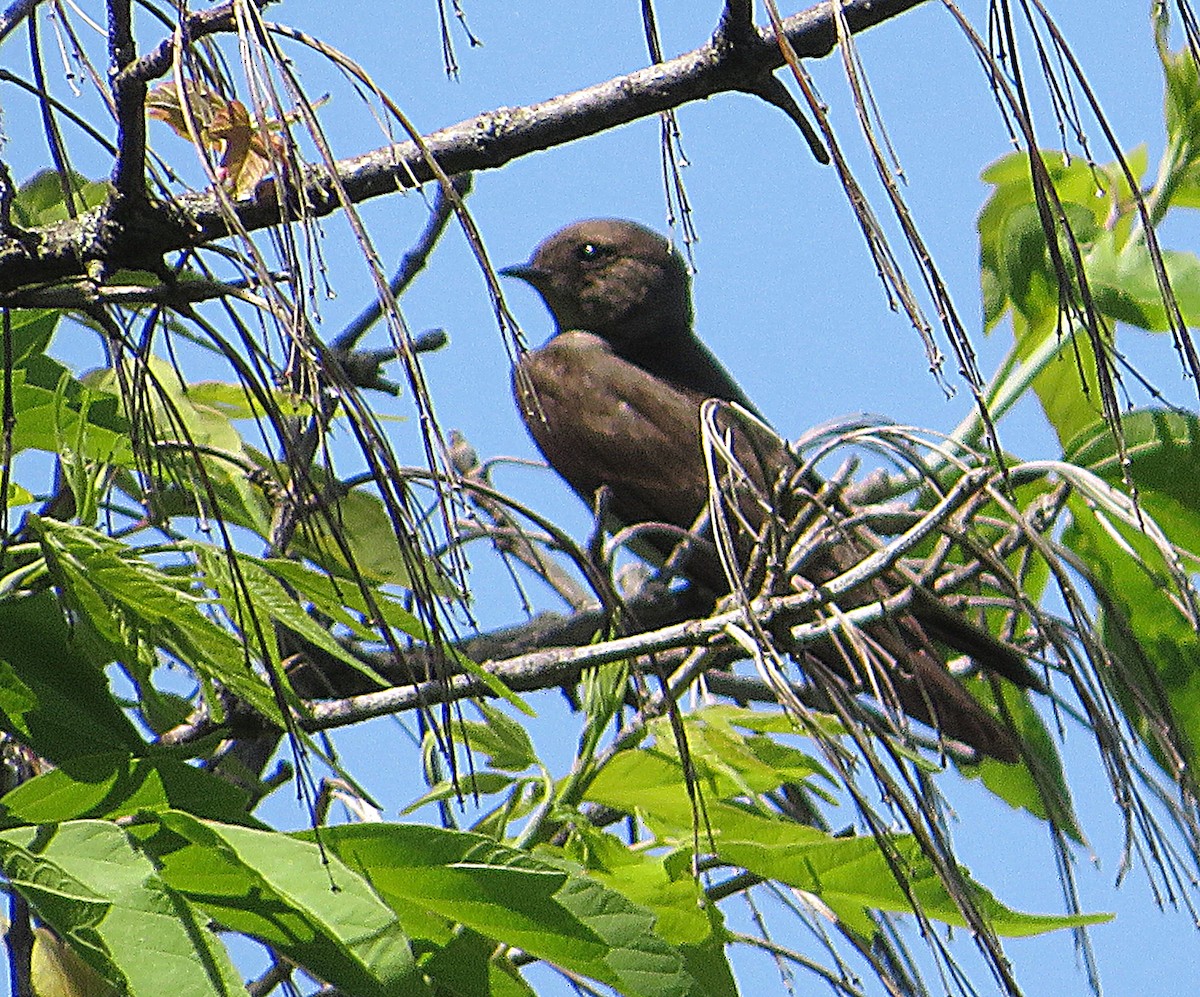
(53, 699)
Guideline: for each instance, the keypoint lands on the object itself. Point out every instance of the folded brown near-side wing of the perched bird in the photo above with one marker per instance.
(604, 422)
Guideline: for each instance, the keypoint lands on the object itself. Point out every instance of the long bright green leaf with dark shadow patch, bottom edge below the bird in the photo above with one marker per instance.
(434, 879)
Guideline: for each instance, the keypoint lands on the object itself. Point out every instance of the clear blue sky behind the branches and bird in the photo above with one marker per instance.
(787, 295)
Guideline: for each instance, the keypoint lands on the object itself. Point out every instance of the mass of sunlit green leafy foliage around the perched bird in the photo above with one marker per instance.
(143, 647)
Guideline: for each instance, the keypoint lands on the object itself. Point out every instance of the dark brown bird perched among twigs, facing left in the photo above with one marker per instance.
(614, 401)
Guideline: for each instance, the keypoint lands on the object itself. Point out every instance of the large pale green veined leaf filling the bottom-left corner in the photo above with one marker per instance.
(86, 880)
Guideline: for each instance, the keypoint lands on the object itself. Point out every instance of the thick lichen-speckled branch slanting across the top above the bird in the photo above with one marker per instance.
(487, 142)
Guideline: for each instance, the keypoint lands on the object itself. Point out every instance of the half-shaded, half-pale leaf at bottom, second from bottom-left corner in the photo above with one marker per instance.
(307, 905)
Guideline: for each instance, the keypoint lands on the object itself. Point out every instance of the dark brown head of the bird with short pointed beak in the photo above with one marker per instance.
(616, 279)
